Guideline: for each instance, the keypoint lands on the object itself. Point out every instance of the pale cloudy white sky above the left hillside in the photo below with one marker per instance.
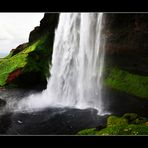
(15, 29)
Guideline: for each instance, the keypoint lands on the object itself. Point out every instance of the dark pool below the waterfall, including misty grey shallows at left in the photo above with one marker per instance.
(49, 121)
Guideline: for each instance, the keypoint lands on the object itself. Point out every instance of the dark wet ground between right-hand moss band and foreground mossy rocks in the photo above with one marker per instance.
(118, 103)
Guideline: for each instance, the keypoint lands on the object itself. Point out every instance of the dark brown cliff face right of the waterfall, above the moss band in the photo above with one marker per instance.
(127, 41)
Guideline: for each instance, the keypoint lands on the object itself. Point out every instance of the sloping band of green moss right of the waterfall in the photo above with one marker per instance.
(128, 82)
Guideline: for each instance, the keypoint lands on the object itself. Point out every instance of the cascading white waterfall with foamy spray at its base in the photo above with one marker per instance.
(77, 64)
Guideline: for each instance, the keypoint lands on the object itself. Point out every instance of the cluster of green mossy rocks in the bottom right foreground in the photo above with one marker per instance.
(128, 124)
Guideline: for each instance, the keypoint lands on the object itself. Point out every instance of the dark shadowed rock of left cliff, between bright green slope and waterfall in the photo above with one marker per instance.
(41, 59)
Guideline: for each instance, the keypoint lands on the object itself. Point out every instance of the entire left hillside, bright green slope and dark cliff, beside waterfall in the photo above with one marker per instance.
(28, 64)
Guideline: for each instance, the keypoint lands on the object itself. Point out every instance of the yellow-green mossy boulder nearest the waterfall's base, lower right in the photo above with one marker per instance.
(114, 121)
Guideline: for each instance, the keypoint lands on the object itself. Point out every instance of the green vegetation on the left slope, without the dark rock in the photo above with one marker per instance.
(35, 57)
